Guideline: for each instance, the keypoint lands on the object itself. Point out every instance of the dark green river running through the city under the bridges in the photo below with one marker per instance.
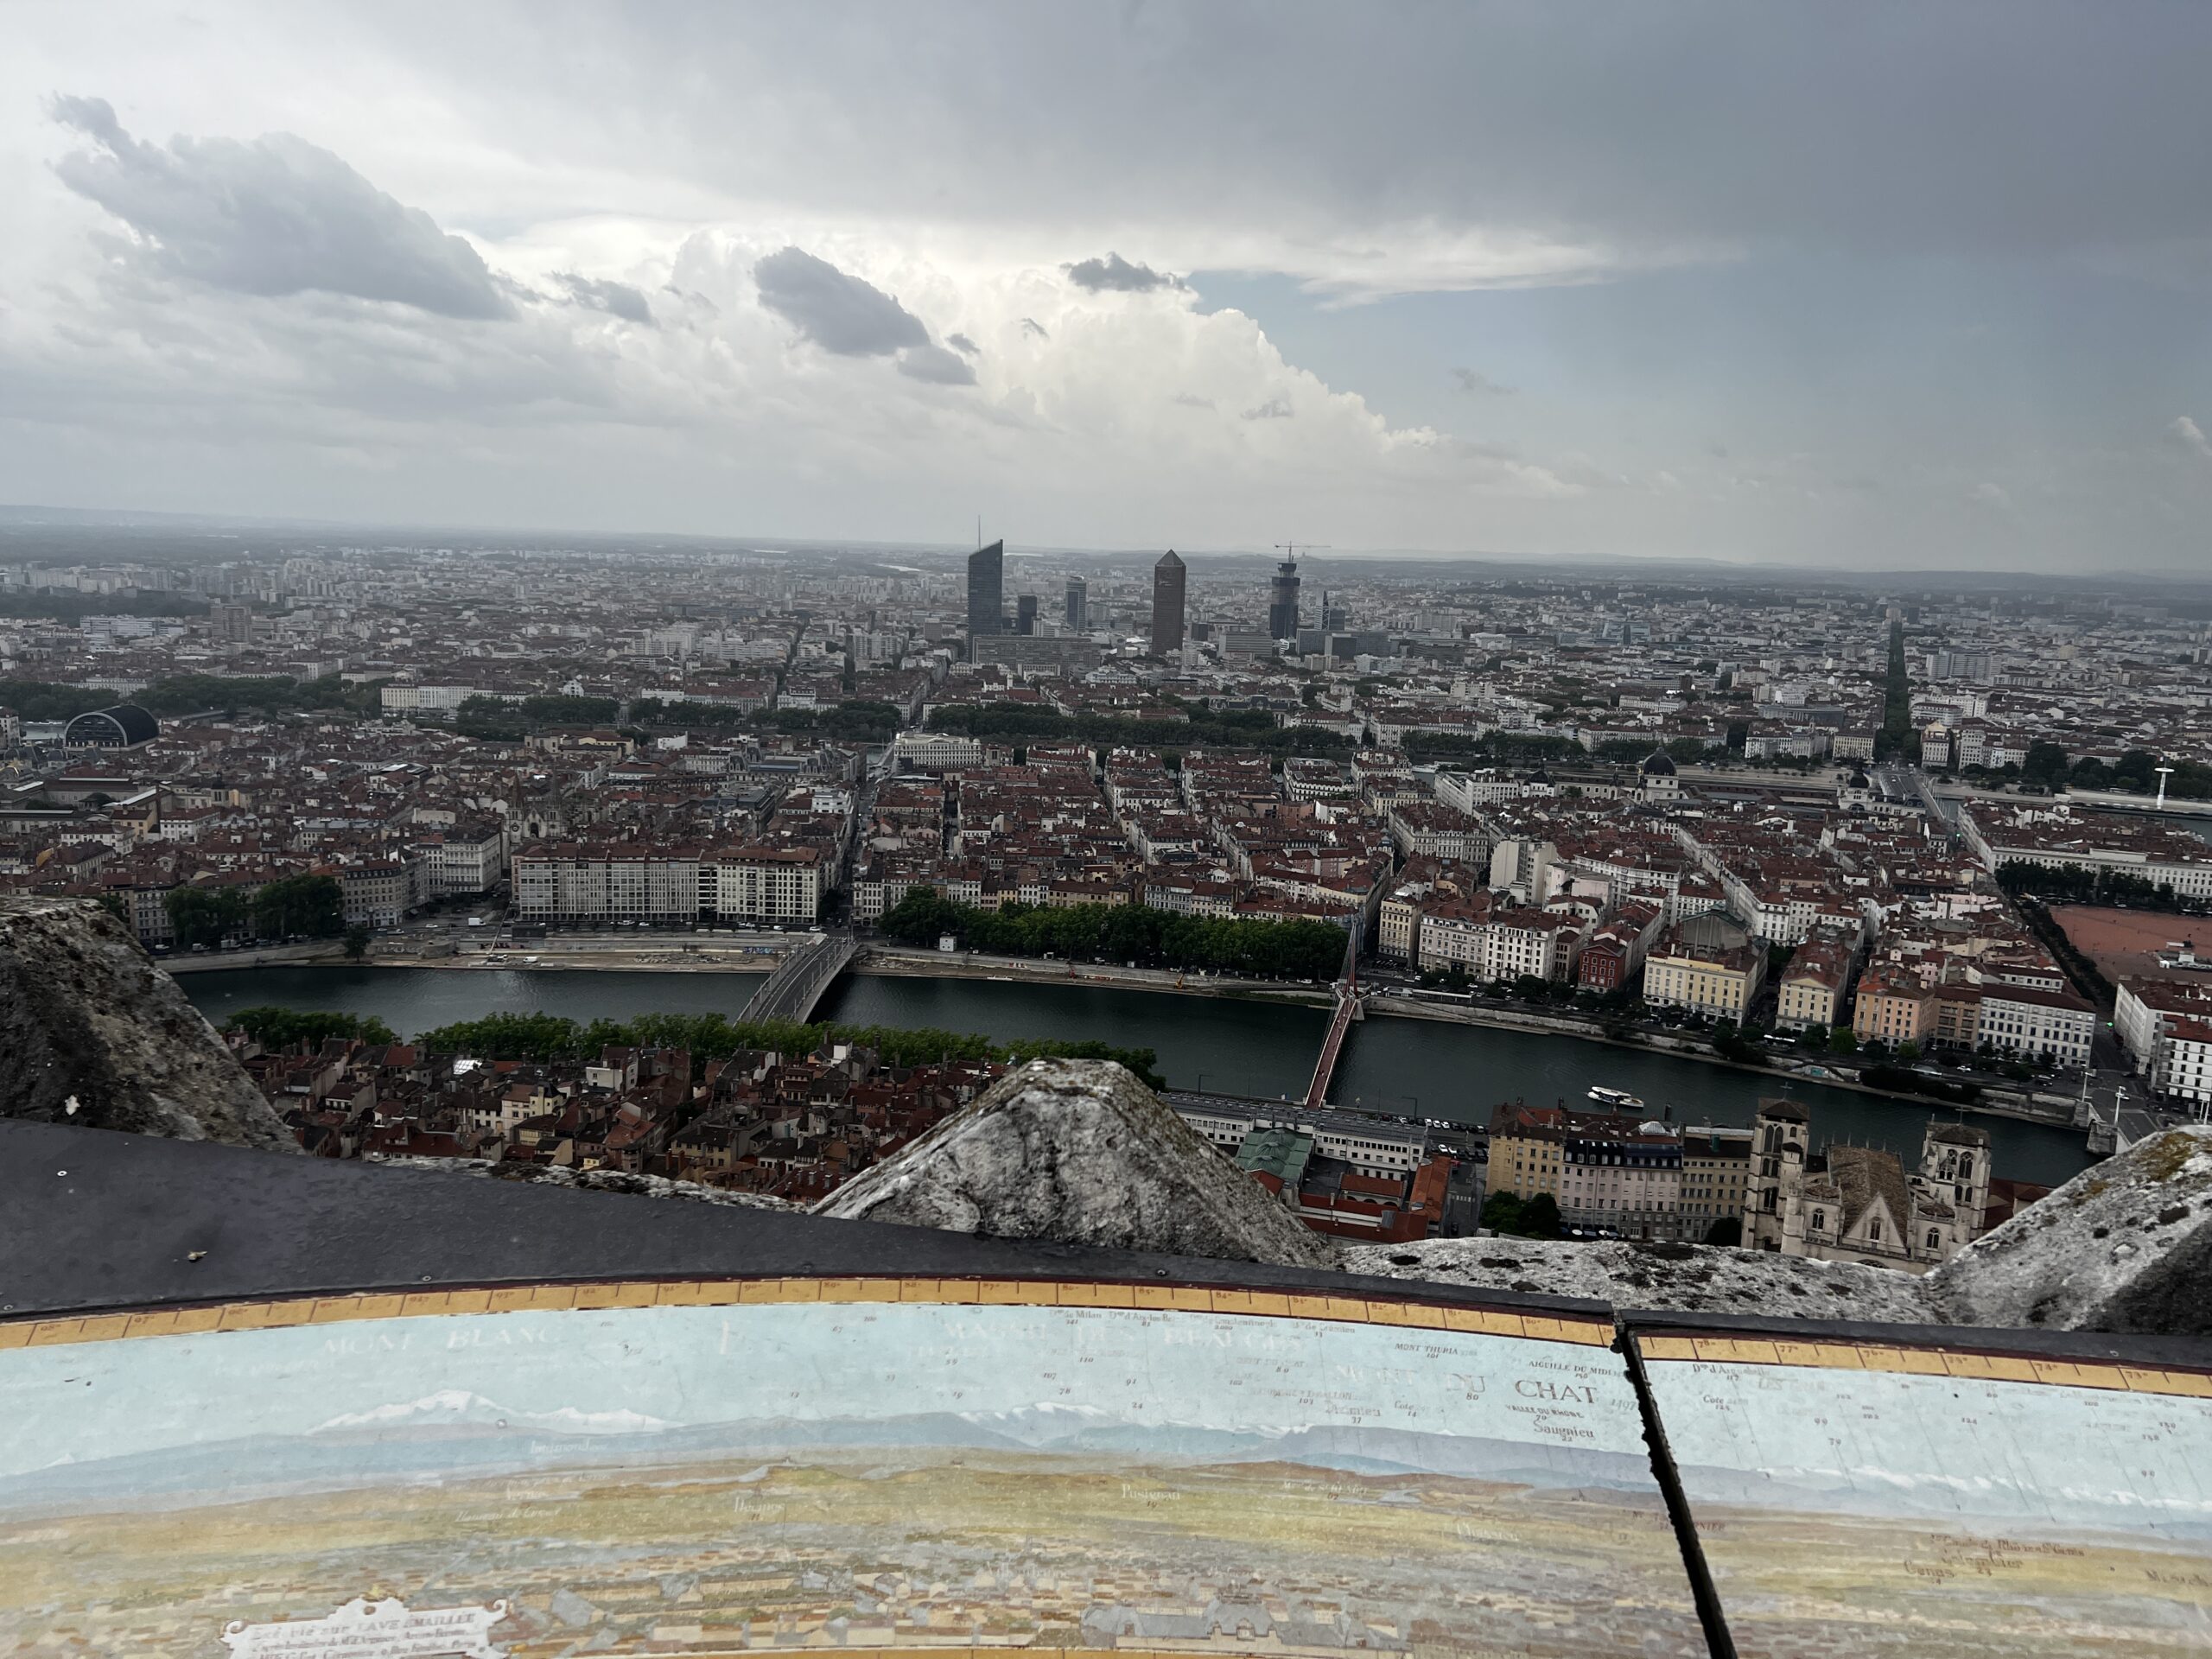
(1401, 1067)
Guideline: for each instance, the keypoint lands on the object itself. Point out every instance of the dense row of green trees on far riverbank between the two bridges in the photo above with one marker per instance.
(1127, 935)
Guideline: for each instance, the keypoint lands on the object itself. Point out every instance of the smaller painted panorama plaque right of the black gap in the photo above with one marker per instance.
(1857, 1499)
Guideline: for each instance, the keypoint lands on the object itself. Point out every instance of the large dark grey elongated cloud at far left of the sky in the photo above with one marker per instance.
(271, 218)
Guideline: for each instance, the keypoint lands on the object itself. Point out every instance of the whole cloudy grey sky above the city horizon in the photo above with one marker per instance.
(1837, 284)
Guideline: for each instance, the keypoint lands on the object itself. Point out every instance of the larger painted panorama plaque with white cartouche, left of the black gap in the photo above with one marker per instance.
(877, 1465)
